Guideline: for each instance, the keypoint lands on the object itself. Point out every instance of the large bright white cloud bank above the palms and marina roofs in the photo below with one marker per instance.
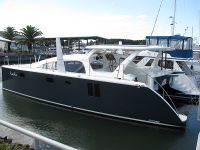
(54, 21)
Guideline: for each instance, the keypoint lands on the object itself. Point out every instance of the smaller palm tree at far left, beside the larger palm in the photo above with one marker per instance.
(9, 33)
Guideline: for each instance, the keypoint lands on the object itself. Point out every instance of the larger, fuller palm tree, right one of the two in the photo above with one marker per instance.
(29, 35)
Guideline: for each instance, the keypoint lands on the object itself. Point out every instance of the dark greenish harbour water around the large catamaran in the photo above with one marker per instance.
(87, 132)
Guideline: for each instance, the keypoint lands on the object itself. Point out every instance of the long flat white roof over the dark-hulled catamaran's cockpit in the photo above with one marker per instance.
(130, 47)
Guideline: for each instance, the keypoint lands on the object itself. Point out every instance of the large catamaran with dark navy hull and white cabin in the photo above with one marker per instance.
(101, 82)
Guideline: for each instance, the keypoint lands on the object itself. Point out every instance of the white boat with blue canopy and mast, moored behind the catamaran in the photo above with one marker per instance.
(185, 89)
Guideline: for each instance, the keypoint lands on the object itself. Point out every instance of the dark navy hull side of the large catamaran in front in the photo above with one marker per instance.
(99, 97)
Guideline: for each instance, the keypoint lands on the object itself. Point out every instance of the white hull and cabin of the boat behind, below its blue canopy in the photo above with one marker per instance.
(187, 82)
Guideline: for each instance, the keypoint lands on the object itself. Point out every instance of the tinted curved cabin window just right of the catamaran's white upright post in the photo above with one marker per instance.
(74, 66)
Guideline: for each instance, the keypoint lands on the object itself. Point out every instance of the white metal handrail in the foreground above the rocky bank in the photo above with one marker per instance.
(37, 136)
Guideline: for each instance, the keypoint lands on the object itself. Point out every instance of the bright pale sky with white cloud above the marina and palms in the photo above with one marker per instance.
(125, 19)
